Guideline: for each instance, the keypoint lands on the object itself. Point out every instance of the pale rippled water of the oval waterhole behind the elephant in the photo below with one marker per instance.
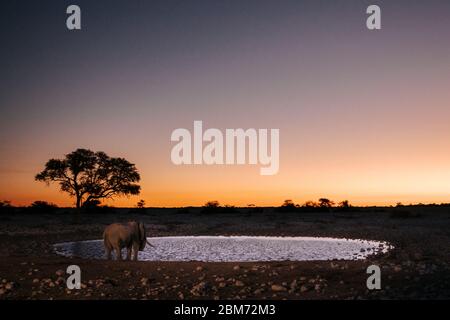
(237, 249)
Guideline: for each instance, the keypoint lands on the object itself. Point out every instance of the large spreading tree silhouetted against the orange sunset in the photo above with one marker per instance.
(89, 176)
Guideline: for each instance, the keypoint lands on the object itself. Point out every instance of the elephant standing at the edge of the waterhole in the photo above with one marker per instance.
(130, 235)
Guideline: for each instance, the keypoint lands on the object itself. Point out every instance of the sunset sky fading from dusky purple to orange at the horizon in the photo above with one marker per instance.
(363, 115)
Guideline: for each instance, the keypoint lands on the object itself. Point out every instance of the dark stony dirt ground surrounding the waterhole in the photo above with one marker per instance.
(418, 267)
